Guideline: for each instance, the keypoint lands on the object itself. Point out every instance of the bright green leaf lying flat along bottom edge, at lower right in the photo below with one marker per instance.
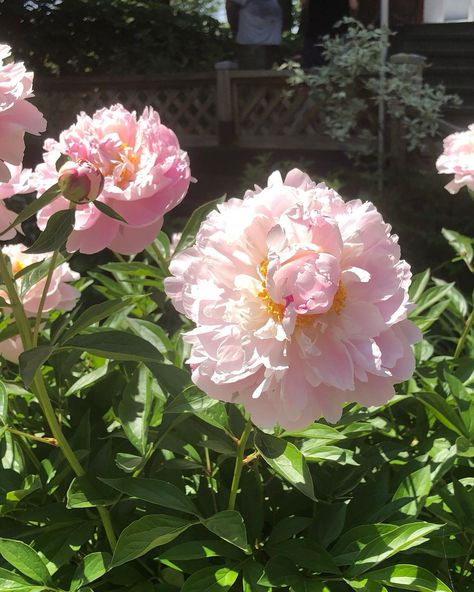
(408, 577)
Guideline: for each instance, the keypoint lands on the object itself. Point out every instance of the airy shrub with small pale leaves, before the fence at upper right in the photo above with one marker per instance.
(353, 82)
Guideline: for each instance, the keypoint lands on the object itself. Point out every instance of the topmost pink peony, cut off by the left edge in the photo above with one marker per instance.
(17, 115)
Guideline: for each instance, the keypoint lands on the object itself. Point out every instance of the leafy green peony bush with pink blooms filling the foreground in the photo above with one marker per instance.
(128, 460)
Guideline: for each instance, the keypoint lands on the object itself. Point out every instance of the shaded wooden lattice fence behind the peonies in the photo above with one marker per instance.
(256, 109)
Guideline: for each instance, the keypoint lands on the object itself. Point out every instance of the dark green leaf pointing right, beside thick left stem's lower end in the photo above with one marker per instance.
(154, 491)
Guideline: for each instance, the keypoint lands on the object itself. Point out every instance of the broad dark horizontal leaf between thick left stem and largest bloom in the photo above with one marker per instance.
(115, 345)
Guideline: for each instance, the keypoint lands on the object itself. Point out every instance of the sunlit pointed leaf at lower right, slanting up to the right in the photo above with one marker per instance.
(386, 545)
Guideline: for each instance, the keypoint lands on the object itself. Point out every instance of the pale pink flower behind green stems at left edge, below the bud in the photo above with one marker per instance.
(60, 296)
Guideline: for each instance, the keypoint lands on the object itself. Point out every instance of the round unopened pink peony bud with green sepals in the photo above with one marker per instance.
(80, 182)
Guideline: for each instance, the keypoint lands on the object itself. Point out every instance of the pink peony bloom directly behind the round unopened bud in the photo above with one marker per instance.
(146, 175)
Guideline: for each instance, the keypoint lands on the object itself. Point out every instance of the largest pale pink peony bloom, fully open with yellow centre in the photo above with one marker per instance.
(300, 302)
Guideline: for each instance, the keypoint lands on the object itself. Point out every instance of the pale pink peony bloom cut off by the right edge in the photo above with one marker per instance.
(458, 159)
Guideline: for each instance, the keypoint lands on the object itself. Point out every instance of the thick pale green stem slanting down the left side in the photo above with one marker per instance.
(39, 389)
